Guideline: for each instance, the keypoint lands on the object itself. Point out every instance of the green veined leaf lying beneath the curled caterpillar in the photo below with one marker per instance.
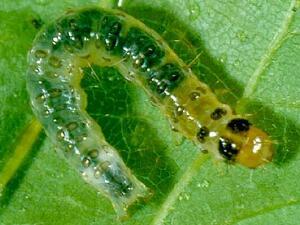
(250, 48)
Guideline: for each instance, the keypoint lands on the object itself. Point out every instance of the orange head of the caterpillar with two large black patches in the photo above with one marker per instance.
(245, 144)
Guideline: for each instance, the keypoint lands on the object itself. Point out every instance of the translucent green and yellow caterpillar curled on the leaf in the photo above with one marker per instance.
(111, 38)
